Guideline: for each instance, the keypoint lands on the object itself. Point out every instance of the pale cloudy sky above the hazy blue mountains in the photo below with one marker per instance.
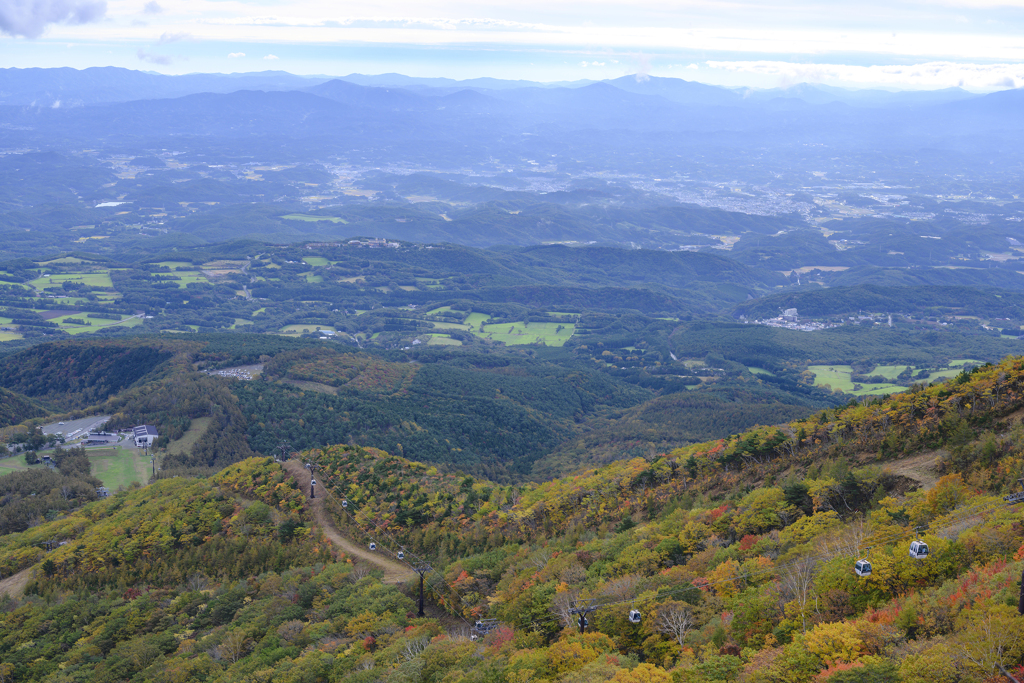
(894, 45)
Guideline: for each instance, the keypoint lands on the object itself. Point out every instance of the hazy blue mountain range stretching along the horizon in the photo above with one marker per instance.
(617, 124)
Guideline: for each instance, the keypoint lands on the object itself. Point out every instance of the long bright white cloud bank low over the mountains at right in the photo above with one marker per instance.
(927, 75)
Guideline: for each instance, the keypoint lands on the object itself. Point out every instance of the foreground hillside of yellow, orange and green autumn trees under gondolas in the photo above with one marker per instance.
(737, 557)
